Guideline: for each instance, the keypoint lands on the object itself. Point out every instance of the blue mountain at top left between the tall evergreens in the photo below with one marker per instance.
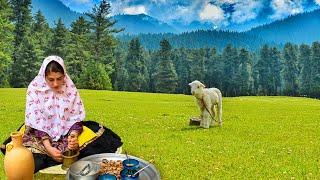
(53, 10)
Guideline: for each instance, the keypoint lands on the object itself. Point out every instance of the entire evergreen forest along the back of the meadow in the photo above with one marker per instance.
(96, 60)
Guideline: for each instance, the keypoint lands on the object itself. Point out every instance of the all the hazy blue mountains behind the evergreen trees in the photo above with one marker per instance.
(301, 28)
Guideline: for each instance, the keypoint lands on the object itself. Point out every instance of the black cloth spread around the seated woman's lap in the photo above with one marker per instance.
(108, 142)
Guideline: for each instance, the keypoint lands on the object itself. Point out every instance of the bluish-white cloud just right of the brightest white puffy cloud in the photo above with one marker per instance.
(246, 10)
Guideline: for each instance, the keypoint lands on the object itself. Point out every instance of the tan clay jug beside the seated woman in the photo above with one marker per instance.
(18, 160)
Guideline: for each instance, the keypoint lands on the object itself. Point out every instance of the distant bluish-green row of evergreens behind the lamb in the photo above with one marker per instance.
(292, 71)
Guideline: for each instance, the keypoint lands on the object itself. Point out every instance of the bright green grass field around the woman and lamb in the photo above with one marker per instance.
(261, 138)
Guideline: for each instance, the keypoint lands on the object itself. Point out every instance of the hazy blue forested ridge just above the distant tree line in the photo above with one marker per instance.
(209, 38)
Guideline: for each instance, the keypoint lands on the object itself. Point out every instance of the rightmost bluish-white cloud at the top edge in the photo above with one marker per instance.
(283, 8)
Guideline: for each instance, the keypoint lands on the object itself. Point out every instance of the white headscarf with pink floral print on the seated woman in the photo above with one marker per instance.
(51, 112)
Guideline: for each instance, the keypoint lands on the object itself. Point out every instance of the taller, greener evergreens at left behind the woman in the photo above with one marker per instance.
(87, 48)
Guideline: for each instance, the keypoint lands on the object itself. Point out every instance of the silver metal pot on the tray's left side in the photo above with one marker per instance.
(84, 170)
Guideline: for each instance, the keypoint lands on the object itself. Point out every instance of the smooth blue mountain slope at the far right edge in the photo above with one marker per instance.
(300, 28)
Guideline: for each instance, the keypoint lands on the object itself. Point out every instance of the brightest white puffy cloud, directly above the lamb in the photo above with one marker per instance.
(212, 13)
